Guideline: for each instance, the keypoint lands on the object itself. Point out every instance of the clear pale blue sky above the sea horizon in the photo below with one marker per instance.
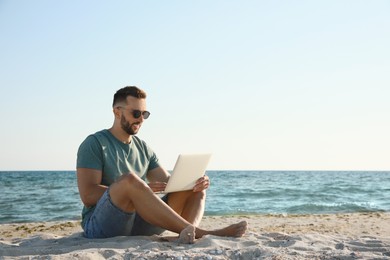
(262, 85)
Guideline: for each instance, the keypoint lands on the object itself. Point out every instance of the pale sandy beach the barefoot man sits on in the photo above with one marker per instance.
(333, 236)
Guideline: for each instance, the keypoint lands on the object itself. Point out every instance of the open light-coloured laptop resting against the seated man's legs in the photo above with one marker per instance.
(188, 169)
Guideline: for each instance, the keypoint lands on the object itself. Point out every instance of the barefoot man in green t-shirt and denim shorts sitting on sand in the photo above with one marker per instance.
(118, 175)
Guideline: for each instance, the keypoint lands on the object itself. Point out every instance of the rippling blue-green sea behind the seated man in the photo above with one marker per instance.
(35, 196)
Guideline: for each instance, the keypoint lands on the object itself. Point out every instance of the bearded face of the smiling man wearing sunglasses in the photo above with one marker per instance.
(129, 123)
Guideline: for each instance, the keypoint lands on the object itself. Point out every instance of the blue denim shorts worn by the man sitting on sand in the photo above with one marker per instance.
(107, 220)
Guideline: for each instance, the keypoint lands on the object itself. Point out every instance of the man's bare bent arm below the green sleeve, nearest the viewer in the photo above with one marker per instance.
(90, 189)
